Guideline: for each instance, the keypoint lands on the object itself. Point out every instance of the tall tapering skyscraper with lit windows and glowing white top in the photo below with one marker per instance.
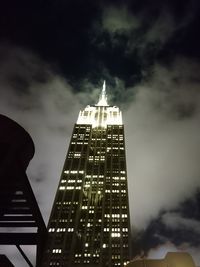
(89, 223)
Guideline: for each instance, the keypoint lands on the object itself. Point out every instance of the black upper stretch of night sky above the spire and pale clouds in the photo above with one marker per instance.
(79, 36)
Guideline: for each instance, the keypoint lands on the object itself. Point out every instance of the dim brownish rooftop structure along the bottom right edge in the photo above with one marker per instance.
(172, 259)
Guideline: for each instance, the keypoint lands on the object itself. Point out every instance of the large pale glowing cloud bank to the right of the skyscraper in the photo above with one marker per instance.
(163, 143)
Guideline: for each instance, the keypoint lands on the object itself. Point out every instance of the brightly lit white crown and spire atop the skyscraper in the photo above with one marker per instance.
(101, 114)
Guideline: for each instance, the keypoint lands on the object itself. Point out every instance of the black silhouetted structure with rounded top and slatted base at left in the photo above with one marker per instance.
(18, 206)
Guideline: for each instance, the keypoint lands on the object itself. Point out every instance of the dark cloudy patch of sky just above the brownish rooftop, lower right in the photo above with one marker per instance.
(174, 230)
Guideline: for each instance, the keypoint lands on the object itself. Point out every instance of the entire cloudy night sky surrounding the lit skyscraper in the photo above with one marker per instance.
(54, 56)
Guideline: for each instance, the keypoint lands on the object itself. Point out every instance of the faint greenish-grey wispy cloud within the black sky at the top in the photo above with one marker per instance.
(140, 34)
